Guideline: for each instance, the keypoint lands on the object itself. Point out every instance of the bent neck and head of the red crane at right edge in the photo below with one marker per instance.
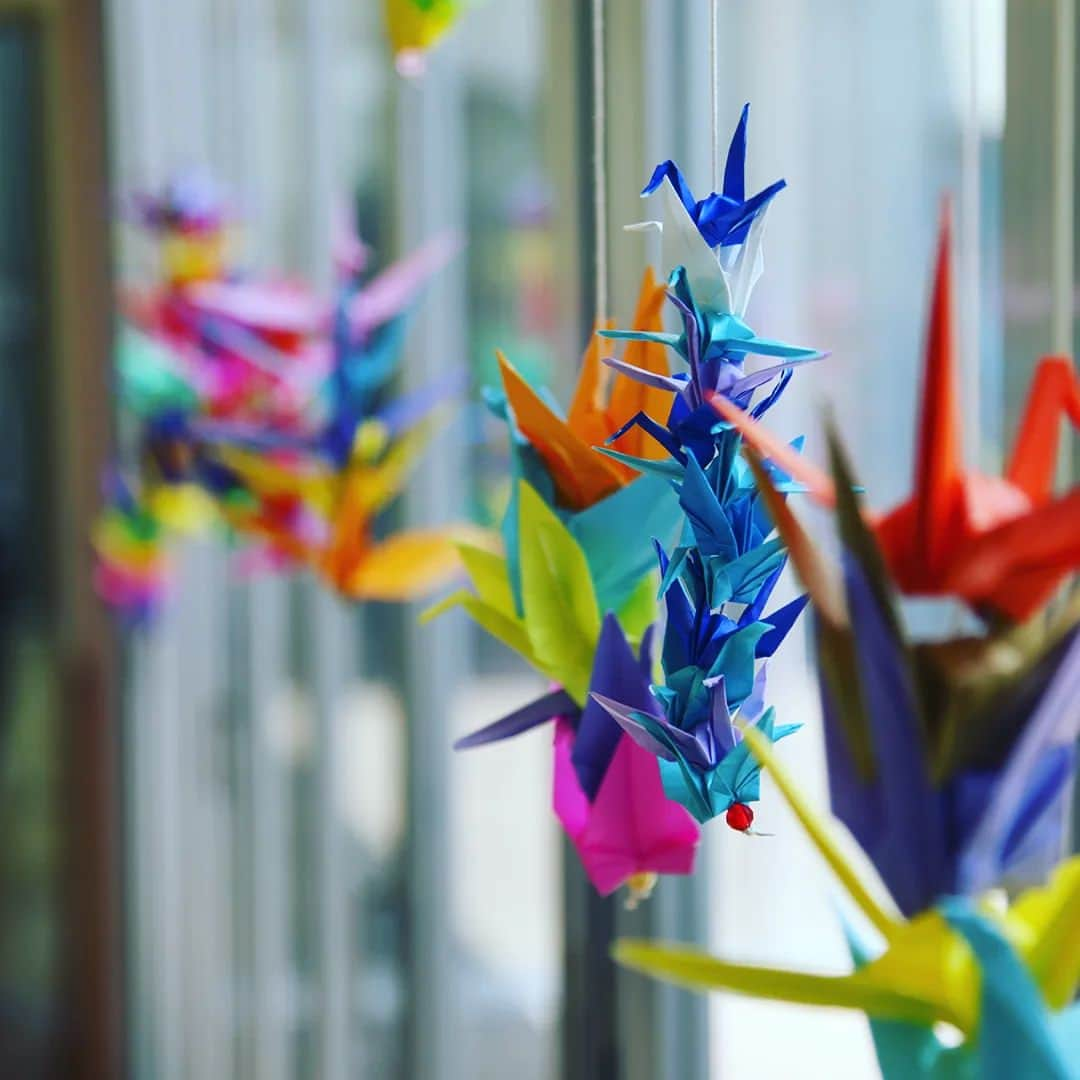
(1056, 391)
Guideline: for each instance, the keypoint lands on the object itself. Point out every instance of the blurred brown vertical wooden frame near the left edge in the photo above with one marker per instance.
(80, 302)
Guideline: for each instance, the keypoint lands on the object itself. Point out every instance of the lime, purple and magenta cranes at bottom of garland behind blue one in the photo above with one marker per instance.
(607, 791)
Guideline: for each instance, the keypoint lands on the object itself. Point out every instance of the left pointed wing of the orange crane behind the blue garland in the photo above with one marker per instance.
(582, 476)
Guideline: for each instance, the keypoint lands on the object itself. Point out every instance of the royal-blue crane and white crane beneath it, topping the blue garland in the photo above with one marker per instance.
(718, 240)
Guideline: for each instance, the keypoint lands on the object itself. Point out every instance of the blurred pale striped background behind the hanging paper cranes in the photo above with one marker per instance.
(239, 845)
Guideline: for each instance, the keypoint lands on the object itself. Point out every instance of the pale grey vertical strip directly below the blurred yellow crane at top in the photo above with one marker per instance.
(430, 191)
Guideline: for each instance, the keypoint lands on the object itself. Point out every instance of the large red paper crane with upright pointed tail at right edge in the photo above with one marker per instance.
(1001, 544)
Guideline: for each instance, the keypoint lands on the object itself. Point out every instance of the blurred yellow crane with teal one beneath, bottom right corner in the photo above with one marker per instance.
(1004, 981)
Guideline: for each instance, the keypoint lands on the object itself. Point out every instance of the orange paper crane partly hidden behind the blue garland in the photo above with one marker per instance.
(601, 407)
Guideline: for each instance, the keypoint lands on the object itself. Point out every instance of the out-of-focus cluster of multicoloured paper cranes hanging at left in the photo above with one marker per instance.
(264, 399)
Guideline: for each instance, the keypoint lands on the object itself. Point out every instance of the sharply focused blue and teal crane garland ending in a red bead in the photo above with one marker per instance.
(720, 578)
